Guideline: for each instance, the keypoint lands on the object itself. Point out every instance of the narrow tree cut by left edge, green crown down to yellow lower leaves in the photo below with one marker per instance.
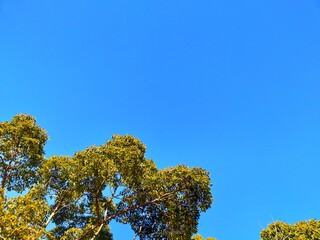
(21, 155)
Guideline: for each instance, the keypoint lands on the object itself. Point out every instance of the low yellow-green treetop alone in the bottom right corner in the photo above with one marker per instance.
(305, 230)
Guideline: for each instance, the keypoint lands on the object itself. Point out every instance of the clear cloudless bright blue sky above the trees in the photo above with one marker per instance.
(230, 86)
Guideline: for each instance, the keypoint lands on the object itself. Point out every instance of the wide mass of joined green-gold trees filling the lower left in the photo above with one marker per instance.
(76, 197)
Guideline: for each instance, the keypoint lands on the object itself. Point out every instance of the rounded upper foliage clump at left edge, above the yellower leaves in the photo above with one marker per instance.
(21, 152)
